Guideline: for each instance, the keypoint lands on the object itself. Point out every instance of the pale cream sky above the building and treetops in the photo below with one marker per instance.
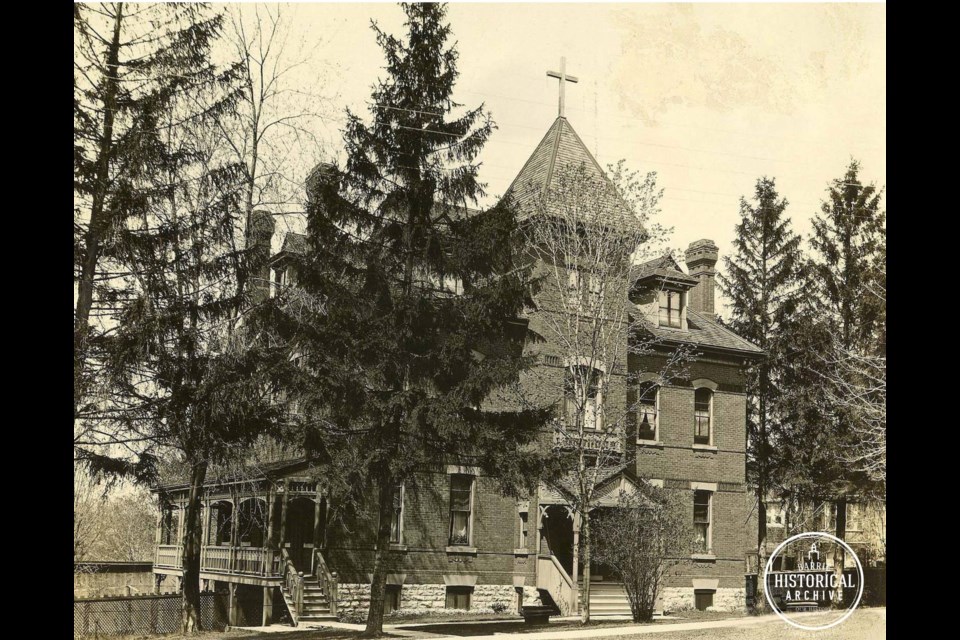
(710, 96)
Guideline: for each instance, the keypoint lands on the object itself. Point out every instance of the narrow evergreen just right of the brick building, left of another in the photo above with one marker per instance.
(763, 281)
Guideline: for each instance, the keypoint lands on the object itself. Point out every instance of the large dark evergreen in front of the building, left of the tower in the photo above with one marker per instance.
(415, 295)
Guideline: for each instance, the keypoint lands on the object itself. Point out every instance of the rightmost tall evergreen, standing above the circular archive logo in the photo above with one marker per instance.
(842, 315)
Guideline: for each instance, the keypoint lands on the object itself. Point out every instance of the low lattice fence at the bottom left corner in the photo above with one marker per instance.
(143, 614)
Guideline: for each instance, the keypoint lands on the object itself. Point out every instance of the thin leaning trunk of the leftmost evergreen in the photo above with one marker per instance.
(96, 225)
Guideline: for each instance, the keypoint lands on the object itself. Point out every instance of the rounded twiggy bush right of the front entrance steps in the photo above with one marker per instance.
(645, 535)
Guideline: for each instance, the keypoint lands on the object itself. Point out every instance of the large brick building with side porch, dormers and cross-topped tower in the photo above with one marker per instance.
(460, 543)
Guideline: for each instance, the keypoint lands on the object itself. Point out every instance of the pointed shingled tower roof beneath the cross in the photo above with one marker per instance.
(561, 147)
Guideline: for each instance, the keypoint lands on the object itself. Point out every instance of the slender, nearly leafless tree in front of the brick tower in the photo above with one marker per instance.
(590, 236)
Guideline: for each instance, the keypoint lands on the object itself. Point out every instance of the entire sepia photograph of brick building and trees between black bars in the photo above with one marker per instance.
(445, 320)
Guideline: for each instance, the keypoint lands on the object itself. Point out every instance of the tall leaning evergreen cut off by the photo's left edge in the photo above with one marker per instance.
(132, 64)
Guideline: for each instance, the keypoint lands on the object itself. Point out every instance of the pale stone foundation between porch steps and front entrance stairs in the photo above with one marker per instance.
(354, 599)
